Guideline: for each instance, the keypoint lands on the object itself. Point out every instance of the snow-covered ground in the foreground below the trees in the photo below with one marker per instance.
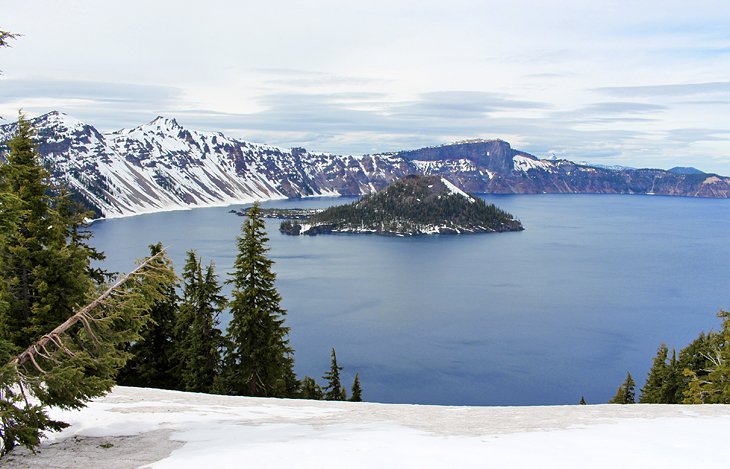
(134, 427)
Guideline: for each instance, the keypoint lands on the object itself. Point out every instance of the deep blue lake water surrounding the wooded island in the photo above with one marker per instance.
(561, 310)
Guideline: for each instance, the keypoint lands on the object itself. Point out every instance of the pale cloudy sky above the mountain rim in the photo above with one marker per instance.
(614, 82)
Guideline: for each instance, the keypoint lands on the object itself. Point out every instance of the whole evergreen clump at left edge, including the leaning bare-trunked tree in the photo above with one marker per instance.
(45, 275)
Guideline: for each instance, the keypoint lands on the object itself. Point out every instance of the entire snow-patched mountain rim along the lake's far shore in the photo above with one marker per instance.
(164, 166)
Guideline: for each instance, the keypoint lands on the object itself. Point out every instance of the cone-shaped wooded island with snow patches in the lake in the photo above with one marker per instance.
(414, 205)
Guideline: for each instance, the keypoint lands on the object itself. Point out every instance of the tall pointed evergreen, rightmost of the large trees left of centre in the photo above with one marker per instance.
(259, 360)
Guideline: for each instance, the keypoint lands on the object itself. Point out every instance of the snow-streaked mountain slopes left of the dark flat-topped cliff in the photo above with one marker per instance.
(163, 166)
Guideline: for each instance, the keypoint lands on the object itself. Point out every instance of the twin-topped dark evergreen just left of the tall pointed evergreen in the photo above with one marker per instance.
(197, 338)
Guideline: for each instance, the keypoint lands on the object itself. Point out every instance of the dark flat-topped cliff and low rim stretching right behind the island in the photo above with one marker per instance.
(494, 167)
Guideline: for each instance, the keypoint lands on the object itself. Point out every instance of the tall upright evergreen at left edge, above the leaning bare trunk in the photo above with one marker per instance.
(45, 263)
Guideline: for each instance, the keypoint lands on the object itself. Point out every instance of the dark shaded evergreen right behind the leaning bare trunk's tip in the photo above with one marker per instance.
(151, 363)
